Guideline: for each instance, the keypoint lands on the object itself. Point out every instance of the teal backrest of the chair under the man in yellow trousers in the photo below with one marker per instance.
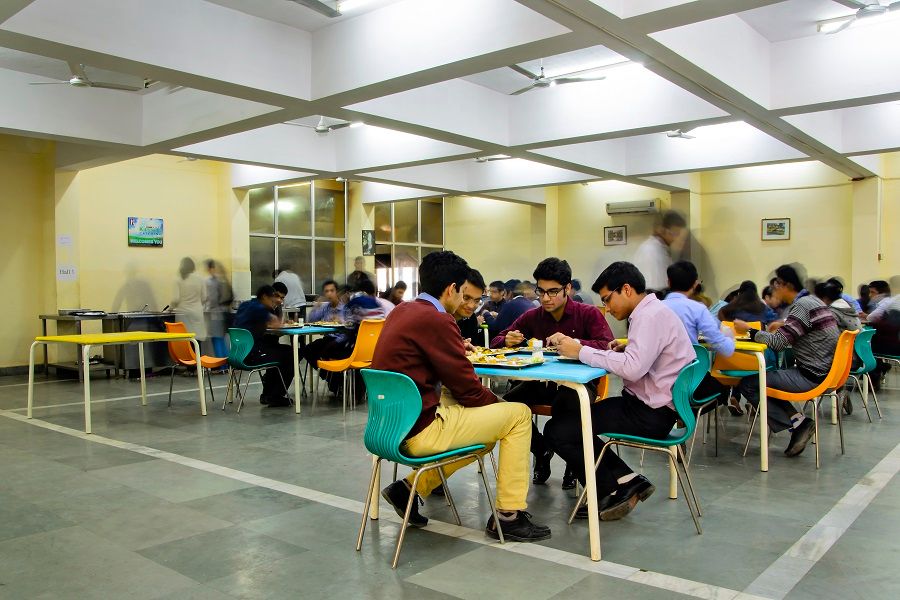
(394, 407)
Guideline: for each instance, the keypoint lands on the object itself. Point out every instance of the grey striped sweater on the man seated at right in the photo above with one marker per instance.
(811, 330)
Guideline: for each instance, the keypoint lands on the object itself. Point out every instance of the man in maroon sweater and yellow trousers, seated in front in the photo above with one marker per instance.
(421, 340)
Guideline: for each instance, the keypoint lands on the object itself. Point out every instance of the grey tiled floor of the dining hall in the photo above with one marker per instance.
(82, 519)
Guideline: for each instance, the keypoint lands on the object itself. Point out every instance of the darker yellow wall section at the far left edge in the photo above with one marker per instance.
(27, 271)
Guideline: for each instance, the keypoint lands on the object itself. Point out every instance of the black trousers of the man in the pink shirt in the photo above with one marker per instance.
(618, 414)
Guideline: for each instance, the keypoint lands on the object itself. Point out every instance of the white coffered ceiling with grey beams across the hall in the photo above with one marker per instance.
(752, 80)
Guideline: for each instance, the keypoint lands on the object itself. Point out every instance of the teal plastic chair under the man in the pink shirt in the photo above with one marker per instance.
(682, 392)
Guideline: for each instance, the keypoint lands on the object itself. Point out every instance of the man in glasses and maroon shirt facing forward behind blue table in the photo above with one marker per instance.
(557, 314)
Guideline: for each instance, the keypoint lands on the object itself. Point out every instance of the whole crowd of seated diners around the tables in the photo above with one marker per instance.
(428, 339)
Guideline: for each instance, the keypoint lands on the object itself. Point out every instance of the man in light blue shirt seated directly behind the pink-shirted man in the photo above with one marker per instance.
(697, 321)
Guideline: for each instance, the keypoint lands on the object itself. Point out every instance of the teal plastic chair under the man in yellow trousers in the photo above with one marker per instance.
(394, 407)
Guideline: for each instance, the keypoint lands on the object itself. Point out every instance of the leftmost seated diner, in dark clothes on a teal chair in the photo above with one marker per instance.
(256, 316)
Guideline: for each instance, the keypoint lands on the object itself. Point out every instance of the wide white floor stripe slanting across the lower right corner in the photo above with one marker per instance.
(792, 566)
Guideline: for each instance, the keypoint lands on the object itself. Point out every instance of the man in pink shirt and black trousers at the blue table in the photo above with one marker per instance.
(658, 348)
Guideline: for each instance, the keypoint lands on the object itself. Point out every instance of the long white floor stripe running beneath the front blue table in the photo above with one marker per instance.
(616, 570)
